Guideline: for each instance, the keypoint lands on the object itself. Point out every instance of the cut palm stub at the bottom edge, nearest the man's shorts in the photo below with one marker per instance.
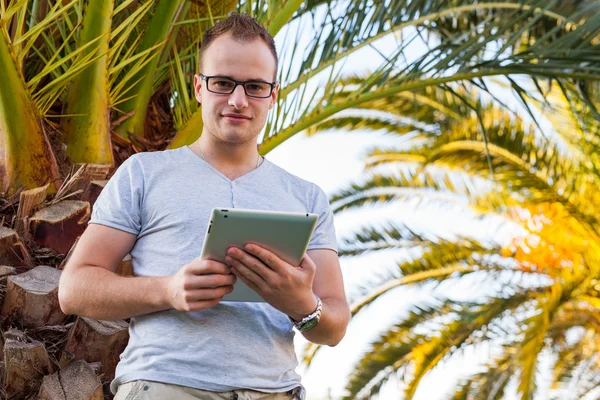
(77, 381)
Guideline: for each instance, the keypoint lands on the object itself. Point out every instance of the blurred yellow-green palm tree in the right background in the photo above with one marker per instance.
(463, 145)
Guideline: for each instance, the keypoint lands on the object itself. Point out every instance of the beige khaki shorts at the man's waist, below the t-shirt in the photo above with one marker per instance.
(149, 390)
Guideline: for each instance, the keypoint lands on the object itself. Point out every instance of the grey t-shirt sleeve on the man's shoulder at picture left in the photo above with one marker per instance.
(119, 204)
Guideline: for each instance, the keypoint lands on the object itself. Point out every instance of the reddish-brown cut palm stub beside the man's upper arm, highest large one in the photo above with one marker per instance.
(59, 225)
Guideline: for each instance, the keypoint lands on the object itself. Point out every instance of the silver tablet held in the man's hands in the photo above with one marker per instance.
(285, 234)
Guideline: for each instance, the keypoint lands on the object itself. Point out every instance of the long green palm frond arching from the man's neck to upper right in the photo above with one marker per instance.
(414, 76)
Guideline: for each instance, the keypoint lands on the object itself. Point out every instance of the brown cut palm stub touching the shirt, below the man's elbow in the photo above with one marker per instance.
(96, 341)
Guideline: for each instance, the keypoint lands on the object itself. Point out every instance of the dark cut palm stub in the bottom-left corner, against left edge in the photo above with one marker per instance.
(26, 362)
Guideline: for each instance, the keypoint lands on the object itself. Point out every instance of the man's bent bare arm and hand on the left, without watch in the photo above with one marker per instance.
(90, 287)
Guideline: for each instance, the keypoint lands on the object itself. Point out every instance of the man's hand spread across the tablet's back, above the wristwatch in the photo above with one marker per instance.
(286, 287)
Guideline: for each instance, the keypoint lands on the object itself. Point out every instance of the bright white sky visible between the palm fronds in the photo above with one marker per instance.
(332, 160)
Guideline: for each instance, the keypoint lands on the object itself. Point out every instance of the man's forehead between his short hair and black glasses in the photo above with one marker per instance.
(239, 60)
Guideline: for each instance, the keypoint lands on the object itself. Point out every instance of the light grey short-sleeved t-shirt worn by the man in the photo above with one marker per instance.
(165, 198)
